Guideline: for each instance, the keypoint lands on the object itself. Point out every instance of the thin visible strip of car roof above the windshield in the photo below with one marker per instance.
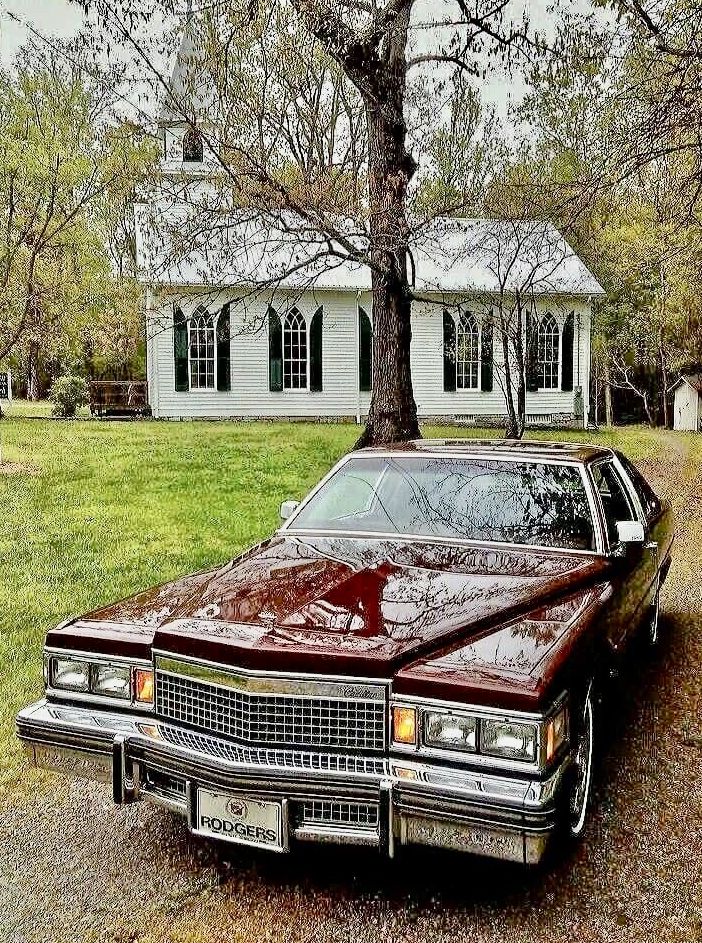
(522, 448)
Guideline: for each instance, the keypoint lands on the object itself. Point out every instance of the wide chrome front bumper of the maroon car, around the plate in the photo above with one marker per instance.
(338, 797)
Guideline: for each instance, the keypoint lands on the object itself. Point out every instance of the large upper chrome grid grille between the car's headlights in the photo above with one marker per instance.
(291, 720)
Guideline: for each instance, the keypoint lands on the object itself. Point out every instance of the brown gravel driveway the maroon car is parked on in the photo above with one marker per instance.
(75, 868)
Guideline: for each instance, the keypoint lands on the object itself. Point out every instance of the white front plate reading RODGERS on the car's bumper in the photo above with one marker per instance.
(242, 819)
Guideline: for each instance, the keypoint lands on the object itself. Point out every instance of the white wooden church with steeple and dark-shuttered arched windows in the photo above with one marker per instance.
(240, 326)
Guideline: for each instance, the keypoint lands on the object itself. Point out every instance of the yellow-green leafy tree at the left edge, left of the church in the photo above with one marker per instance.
(66, 173)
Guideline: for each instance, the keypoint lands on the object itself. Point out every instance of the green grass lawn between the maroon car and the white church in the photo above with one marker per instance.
(94, 511)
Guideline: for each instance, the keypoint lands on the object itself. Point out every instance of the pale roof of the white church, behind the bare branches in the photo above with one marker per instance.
(477, 256)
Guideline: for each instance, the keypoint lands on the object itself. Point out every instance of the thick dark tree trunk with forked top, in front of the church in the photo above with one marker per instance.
(376, 62)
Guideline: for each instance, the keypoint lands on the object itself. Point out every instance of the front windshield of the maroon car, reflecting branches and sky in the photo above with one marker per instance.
(534, 503)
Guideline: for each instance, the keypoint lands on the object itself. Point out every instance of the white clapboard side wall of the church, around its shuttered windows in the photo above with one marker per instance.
(251, 397)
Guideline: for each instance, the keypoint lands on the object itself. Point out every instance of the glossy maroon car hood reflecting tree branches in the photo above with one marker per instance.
(340, 605)
